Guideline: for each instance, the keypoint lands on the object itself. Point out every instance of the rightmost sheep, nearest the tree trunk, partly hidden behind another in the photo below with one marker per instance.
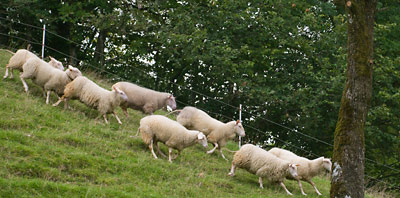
(307, 169)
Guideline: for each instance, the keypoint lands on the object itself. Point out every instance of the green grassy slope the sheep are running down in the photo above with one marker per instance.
(46, 151)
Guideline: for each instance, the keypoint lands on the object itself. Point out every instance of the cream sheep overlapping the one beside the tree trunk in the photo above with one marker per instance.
(263, 164)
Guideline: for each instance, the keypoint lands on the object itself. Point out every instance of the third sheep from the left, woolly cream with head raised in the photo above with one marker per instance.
(94, 96)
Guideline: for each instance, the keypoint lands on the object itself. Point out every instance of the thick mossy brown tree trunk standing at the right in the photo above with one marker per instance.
(349, 147)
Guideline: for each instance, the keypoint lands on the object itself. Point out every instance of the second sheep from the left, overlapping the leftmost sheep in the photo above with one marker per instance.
(47, 77)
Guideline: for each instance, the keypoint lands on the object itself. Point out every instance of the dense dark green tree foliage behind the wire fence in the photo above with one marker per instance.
(284, 60)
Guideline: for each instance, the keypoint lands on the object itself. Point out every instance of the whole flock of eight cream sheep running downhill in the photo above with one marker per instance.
(192, 125)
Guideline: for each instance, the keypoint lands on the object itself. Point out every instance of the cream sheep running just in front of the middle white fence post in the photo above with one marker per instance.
(217, 132)
